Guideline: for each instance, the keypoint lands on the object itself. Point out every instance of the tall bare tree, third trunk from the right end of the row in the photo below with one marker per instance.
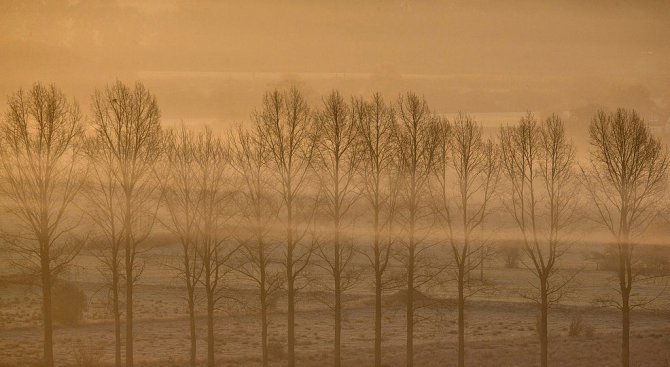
(466, 175)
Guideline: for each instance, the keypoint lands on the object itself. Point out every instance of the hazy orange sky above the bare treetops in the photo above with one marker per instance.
(212, 60)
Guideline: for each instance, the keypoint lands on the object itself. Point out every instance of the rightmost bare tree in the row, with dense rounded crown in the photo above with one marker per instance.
(626, 179)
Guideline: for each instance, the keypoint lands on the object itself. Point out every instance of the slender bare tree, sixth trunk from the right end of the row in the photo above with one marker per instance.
(336, 161)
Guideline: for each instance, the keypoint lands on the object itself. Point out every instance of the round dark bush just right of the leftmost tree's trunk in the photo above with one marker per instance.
(68, 303)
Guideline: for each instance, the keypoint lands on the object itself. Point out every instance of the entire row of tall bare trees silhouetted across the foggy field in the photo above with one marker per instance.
(307, 188)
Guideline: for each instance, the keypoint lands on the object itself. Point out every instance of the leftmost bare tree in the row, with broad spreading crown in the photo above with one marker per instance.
(41, 140)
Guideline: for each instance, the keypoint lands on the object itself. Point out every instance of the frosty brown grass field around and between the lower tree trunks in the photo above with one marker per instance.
(500, 329)
